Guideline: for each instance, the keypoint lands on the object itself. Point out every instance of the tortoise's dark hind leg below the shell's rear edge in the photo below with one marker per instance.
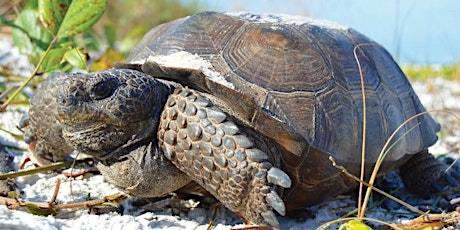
(424, 175)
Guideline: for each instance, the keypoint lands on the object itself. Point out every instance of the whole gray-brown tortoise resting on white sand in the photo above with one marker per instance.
(260, 139)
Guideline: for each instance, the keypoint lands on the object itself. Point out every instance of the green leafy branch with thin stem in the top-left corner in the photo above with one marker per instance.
(60, 20)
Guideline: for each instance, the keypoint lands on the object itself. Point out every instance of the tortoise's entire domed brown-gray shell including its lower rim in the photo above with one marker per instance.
(297, 81)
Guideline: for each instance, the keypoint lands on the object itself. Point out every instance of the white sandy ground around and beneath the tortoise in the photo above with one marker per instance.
(174, 213)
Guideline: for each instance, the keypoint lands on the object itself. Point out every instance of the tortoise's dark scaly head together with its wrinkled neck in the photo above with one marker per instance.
(114, 117)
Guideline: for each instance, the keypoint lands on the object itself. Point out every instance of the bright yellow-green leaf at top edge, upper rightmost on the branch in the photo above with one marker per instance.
(80, 16)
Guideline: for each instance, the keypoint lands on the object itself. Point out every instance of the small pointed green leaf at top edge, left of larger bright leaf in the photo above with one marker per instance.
(52, 13)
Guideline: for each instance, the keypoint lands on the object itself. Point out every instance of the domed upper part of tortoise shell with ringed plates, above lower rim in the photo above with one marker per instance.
(305, 76)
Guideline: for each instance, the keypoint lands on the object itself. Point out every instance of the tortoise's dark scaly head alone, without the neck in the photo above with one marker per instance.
(108, 113)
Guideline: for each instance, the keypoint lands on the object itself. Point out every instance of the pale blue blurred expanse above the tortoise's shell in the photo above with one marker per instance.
(414, 31)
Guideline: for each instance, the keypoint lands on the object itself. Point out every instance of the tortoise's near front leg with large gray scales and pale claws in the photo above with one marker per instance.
(202, 141)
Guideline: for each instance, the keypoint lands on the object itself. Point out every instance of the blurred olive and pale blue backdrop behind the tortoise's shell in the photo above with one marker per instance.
(419, 34)
